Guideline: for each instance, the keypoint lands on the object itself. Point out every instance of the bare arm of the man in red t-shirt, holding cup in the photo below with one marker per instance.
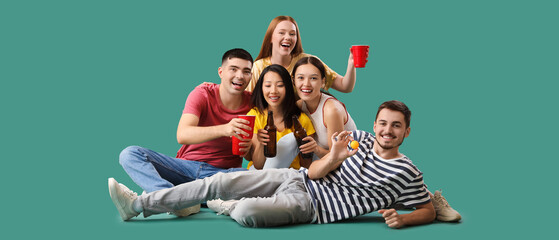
(188, 131)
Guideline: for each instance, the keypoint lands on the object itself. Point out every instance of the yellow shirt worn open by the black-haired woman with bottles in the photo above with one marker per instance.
(260, 123)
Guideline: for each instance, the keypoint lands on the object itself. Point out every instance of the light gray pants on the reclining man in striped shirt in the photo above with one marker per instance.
(271, 197)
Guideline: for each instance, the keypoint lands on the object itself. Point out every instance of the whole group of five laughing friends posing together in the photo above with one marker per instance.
(338, 183)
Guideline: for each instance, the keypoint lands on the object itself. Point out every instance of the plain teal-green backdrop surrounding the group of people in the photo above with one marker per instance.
(81, 80)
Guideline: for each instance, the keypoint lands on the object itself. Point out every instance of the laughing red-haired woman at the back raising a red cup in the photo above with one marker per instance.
(282, 45)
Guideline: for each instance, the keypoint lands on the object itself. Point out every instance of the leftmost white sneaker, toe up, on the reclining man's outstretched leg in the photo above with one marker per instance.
(123, 198)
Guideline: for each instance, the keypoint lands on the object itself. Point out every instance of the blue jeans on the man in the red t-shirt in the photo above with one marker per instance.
(153, 171)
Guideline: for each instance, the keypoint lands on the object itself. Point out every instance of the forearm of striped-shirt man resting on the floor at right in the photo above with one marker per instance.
(423, 214)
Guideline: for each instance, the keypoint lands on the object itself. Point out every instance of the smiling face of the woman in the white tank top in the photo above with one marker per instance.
(308, 82)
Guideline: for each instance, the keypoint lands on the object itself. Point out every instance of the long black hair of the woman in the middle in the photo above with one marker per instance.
(289, 104)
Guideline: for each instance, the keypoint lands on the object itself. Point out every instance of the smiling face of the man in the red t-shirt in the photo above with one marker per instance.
(235, 74)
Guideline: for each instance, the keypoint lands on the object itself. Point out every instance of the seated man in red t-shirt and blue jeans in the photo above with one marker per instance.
(208, 122)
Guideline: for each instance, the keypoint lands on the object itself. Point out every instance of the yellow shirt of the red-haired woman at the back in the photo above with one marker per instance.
(259, 66)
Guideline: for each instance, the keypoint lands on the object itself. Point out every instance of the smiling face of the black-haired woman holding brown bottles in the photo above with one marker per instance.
(273, 89)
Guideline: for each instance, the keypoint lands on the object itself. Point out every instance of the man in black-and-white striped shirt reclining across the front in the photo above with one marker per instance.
(343, 184)
